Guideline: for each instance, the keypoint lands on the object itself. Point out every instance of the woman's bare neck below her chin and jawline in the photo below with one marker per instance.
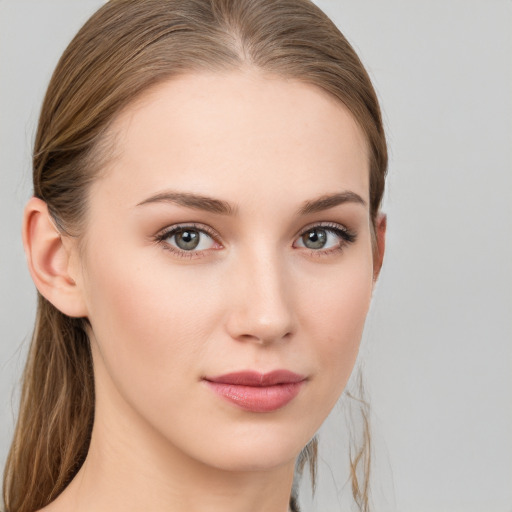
(121, 483)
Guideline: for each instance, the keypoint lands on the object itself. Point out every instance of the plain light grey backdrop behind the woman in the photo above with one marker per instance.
(437, 351)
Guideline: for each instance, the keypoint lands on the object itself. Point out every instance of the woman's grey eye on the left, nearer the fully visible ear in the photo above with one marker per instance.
(187, 239)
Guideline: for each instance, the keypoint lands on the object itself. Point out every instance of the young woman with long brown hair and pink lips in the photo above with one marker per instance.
(204, 235)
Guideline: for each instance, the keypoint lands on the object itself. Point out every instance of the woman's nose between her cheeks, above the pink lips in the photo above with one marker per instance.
(261, 305)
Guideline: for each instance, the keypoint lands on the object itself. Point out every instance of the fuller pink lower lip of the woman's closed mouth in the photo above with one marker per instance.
(256, 398)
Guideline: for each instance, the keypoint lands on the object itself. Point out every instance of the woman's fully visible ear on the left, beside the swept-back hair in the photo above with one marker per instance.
(52, 260)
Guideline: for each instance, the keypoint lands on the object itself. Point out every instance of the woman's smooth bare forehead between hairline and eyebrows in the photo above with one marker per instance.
(223, 134)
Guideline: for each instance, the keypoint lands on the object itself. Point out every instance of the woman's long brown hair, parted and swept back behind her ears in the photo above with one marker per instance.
(125, 48)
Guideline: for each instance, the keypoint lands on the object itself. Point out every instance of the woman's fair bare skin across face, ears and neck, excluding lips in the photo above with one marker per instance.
(259, 292)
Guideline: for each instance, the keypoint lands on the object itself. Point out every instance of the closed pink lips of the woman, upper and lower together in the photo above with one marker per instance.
(257, 392)
